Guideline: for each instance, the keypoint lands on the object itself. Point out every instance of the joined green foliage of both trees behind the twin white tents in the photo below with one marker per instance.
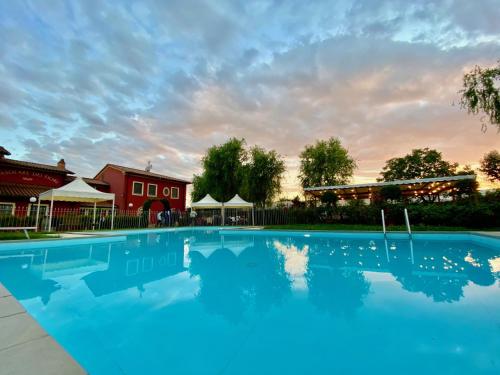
(230, 169)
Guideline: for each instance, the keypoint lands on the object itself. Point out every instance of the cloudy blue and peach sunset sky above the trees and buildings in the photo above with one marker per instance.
(130, 81)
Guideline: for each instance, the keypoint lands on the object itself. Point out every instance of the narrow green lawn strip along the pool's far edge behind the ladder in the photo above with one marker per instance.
(378, 228)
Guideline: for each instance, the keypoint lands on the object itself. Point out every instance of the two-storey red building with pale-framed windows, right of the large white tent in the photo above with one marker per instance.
(133, 187)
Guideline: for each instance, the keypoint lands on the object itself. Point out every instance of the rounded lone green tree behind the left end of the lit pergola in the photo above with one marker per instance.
(325, 163)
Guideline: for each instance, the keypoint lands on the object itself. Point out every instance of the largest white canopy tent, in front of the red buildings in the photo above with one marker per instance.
(76, 191)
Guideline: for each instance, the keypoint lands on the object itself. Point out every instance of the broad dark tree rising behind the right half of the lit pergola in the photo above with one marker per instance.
(421, 163)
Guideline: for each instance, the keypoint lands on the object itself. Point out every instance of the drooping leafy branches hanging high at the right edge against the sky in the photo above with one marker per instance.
(481, 93)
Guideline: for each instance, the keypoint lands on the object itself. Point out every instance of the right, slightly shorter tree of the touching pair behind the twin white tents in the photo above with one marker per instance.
(263, 176)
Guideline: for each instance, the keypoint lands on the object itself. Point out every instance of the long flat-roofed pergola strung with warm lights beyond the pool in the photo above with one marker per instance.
(409, 188)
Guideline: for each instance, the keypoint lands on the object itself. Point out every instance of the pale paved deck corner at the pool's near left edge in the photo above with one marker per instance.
(25, 347)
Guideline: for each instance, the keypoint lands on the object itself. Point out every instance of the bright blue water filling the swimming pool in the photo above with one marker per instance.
(212, 302)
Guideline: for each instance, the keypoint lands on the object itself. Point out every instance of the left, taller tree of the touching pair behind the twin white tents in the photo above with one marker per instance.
(222, 175)
